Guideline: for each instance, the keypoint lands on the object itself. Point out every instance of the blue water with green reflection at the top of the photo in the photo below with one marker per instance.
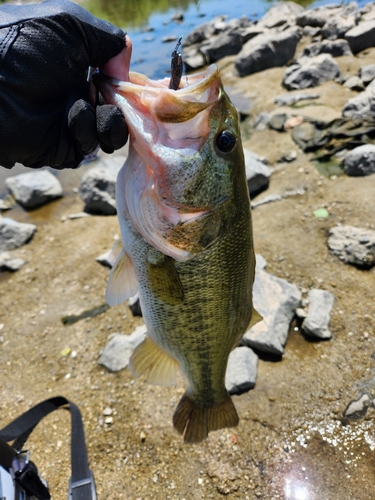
(150, 55)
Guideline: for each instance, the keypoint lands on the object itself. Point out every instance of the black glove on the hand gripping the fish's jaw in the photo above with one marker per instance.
(45, 52)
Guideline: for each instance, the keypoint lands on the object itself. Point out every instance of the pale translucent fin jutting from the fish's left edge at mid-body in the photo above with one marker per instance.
(122, 283)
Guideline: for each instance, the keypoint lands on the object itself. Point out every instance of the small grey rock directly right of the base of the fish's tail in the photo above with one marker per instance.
(241, 371)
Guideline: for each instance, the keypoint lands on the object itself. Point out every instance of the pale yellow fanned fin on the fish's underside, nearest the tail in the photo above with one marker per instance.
(149, 360)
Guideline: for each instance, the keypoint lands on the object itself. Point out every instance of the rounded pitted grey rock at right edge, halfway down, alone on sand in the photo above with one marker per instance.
(353, 245)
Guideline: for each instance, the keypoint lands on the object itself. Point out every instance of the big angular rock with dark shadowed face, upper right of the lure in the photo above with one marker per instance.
(267, 51)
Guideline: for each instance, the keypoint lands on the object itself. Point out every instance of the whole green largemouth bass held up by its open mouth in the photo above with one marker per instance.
(186, 238)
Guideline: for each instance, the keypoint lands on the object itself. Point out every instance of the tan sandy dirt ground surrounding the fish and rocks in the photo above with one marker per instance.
(290, 442)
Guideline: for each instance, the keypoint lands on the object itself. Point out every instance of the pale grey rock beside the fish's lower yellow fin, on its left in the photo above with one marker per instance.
(116, 354)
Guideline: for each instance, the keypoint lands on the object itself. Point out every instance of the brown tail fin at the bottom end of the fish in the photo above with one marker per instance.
(196, 422)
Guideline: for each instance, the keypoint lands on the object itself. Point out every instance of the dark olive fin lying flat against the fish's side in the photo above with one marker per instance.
(164, 279)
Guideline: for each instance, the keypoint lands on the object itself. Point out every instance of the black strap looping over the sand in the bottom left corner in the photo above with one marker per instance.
(81, 485)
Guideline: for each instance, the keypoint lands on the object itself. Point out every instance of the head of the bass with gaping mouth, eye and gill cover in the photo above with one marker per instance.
(185, 159)
